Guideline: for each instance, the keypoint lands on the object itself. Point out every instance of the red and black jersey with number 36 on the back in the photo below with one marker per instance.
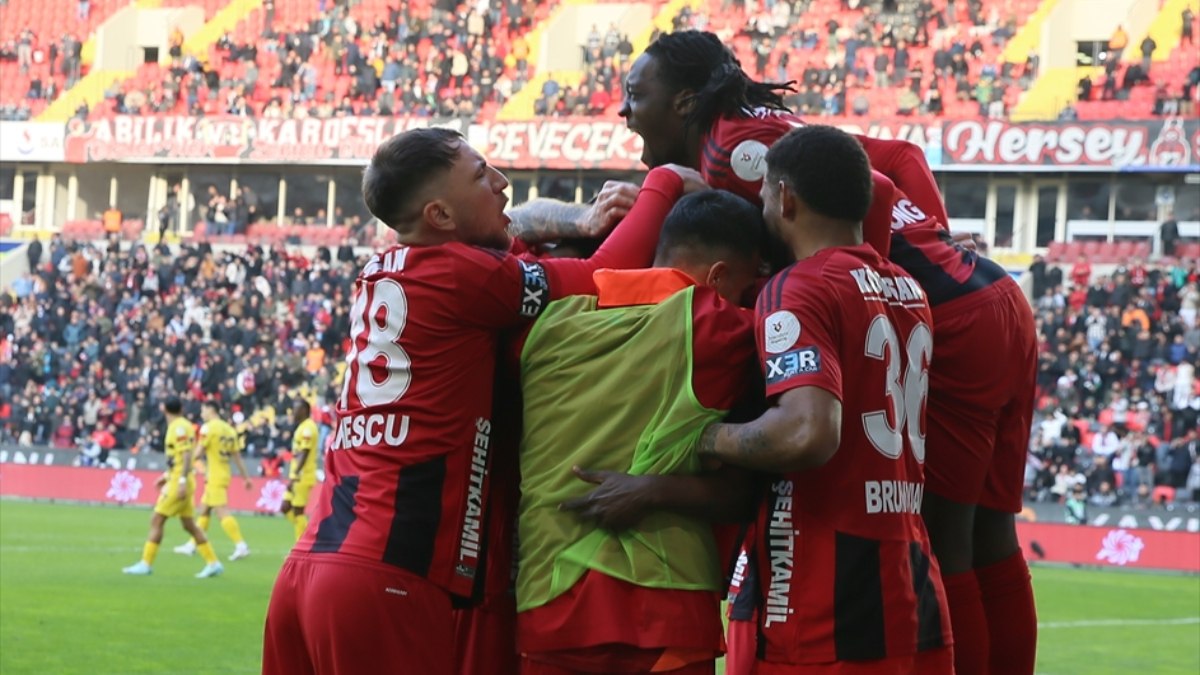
(844, 560)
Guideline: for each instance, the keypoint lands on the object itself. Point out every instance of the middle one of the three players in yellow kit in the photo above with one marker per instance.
(220, 445)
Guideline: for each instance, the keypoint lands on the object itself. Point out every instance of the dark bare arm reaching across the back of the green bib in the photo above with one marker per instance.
(621, 500)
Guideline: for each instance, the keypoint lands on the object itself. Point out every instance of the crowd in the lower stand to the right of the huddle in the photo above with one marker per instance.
(1119, 396)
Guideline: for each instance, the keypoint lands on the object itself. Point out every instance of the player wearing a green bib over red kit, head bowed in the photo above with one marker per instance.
(645, 600)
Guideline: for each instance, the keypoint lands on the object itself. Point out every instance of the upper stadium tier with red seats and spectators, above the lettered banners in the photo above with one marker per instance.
(289, 58)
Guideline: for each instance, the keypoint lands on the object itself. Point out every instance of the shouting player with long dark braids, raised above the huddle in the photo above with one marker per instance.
(692, 104)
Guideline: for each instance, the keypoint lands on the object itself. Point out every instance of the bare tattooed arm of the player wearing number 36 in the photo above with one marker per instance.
(803, 431)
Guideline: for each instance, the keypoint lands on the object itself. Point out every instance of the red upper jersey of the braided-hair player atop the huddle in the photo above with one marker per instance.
(734, 158)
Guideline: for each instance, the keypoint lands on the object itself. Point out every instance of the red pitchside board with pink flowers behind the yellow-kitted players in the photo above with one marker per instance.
(123, 487)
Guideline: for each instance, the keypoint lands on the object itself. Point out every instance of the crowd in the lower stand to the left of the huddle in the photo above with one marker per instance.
(101, 334)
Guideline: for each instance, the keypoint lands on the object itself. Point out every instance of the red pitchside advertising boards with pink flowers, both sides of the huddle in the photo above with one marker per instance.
(1153, 539)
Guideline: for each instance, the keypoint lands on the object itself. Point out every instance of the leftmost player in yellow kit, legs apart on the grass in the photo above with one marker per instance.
(177, 486)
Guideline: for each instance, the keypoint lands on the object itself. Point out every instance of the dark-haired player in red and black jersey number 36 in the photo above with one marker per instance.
(845, 342)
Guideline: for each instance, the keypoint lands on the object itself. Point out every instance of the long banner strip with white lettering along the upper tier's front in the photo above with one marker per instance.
(590, 144)
